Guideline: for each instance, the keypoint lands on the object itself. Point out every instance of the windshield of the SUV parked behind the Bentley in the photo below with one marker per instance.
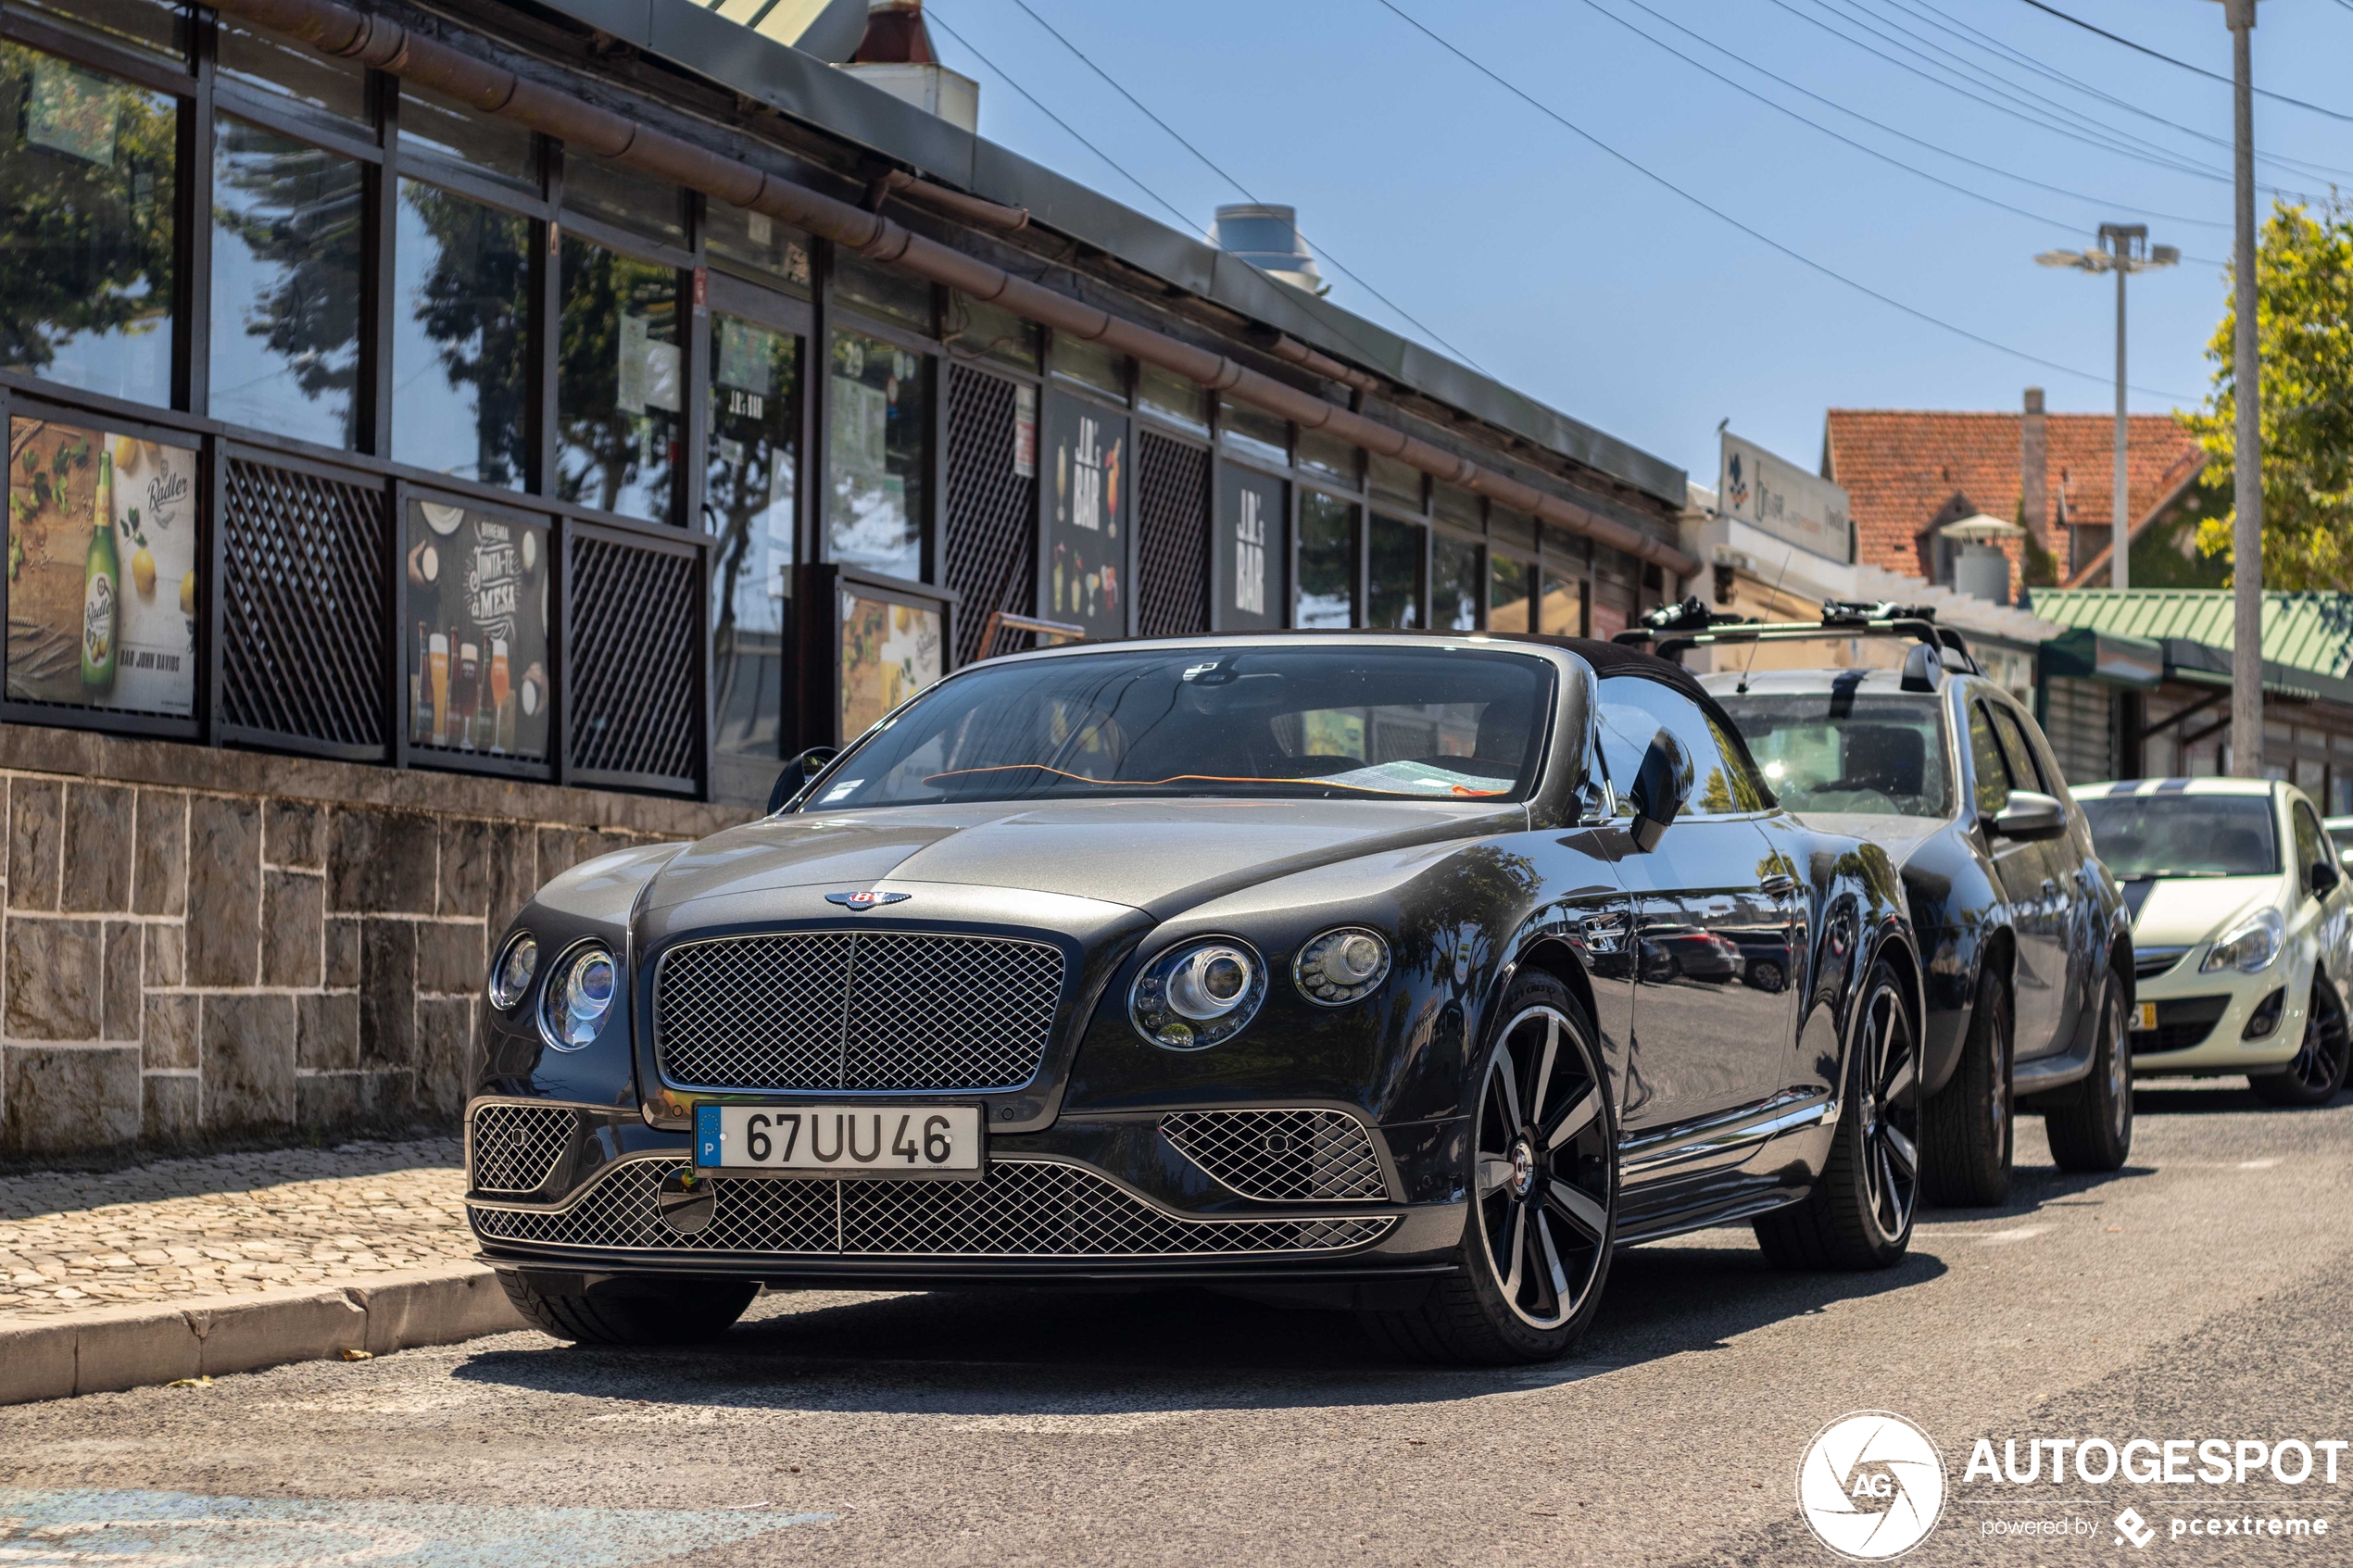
(1844, 751)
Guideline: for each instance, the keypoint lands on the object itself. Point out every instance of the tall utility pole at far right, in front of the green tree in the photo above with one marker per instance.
(2248, 443)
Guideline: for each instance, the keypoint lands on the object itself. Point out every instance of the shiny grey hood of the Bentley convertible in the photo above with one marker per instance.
(1152, 855)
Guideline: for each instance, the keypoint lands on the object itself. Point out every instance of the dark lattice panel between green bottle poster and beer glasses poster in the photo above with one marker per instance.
(302, 598)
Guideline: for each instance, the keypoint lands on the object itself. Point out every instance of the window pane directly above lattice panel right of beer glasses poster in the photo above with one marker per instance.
(618, 396)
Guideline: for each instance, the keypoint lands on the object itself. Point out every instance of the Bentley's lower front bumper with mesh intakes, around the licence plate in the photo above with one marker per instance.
(575, 1188)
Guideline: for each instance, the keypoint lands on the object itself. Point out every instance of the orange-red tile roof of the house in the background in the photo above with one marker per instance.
(1905, 467)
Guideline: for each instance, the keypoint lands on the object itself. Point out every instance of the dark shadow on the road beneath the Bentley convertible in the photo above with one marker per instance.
(1105, 1355)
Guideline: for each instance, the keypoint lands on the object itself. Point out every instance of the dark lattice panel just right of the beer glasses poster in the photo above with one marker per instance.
(636, 692)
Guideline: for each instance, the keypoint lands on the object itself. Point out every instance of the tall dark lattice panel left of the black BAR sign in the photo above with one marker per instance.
(992, 507)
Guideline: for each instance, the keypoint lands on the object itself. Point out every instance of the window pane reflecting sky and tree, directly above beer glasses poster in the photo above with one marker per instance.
(462, 337)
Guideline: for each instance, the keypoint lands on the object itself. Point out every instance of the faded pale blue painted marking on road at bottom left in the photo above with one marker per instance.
(53, 1527)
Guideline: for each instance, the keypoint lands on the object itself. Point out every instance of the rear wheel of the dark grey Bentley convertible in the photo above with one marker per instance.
(1860, 1212)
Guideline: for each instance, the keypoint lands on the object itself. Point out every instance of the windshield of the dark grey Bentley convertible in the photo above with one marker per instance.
(1345, 723)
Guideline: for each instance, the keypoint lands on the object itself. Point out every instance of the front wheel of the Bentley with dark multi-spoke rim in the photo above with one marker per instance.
(1542, 1179)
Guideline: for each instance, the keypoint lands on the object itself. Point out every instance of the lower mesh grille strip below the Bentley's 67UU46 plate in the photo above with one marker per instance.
(1020, 1209)
